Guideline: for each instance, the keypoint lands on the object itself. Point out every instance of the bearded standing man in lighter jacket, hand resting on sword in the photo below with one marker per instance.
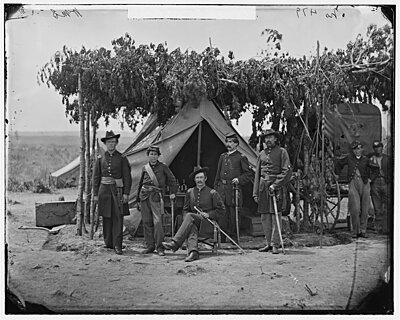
(273, 172)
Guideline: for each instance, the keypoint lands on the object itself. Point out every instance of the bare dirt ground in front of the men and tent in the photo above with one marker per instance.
(71, 274)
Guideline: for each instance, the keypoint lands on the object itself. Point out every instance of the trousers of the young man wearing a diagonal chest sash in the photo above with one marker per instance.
(152, 223)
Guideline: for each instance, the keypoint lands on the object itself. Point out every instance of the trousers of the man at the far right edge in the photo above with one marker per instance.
(380, 198)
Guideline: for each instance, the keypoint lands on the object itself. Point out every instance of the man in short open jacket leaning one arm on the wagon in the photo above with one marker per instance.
(358, 174)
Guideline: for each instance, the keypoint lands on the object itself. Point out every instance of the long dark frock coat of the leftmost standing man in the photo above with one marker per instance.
(116, 166)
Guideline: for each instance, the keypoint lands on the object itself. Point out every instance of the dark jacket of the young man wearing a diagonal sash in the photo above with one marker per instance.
(165, 178)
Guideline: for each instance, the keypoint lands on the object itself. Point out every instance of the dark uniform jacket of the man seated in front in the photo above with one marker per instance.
(207, 200)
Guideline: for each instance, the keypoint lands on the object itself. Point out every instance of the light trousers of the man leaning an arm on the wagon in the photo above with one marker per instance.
(359, 203)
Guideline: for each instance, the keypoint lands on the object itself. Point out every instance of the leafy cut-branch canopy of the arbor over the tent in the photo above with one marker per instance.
(287, 92)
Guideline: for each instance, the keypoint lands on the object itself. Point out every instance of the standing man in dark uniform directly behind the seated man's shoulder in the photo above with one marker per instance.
(233, 169)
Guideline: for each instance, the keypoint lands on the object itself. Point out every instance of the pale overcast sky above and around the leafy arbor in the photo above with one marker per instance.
(31, 42)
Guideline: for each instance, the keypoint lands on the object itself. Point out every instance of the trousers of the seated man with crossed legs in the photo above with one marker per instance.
(189, 230)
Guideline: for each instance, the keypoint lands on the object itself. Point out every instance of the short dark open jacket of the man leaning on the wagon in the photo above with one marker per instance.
(363, 165)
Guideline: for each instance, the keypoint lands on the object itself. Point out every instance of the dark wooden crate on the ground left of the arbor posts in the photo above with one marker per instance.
(55, 213)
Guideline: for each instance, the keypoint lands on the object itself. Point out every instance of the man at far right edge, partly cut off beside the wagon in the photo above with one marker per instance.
(381, 186)
